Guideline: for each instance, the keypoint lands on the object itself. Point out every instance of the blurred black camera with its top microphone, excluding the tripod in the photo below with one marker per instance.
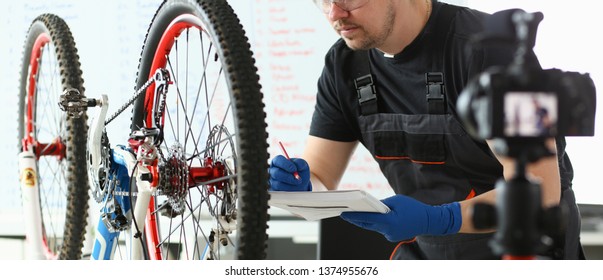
(521, 100)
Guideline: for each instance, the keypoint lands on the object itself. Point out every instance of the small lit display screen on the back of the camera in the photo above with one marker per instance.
(530, 114)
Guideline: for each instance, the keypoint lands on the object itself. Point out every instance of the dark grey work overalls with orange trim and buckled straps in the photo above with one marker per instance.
(430, 157)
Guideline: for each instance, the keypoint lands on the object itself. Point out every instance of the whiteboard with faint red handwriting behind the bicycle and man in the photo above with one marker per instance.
(289, 39)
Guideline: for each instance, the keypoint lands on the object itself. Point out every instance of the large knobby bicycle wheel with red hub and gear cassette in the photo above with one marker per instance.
(213, 186)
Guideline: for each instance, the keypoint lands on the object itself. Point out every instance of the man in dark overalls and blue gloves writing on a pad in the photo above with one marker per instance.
(373, 91)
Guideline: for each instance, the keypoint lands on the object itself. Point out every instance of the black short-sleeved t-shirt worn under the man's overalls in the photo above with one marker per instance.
(400, 80)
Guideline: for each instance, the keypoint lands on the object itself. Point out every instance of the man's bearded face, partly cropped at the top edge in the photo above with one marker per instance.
(365, 27)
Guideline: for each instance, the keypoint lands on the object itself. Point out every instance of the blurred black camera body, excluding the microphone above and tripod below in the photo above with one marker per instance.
(529, 103)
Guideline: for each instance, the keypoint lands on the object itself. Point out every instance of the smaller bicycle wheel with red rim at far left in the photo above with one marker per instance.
(50, 66)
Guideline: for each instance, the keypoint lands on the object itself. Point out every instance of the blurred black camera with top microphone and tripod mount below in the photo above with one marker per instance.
(521, 105)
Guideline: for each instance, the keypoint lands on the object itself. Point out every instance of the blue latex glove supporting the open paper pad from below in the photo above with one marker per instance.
(408, 218)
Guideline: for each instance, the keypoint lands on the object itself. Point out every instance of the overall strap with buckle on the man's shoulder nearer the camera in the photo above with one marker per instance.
(434, 81)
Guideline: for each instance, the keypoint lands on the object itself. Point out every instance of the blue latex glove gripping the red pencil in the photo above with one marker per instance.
(281, 174)
